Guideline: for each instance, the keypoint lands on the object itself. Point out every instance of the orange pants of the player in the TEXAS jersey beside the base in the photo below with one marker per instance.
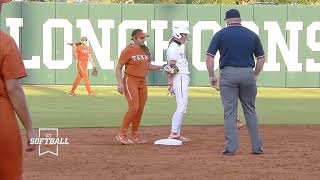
(136, 92)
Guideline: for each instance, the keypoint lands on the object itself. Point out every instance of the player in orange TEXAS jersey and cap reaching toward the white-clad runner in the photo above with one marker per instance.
(136, 58)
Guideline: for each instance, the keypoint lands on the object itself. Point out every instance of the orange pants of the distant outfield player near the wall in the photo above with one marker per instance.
(82, 73)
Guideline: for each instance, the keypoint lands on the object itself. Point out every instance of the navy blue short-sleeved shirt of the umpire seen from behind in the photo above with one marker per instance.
(236, 45)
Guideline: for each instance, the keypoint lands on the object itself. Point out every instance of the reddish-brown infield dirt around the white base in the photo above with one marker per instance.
(291, 152)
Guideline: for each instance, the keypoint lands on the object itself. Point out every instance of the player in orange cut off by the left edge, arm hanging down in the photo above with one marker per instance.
(12, 102)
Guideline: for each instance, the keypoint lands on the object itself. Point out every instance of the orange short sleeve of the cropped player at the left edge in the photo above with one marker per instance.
(13, 67)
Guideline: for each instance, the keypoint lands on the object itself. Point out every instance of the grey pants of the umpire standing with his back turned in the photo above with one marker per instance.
(239, 82)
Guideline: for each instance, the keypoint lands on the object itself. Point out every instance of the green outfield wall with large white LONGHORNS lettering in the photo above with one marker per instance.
(290, 35)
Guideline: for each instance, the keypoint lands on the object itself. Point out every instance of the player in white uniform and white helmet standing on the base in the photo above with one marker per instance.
(179, 82)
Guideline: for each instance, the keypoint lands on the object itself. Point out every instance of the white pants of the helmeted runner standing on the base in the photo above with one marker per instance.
(180, 89)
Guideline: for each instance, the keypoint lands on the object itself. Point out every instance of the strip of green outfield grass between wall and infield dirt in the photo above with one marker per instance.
(52, 107)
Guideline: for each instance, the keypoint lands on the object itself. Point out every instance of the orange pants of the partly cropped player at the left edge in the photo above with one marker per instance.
(11, 145)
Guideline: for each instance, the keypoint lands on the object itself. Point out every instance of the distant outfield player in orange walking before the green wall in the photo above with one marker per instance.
(83, 54)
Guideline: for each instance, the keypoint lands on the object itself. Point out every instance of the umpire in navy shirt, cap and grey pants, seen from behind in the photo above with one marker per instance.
(237, 46)
